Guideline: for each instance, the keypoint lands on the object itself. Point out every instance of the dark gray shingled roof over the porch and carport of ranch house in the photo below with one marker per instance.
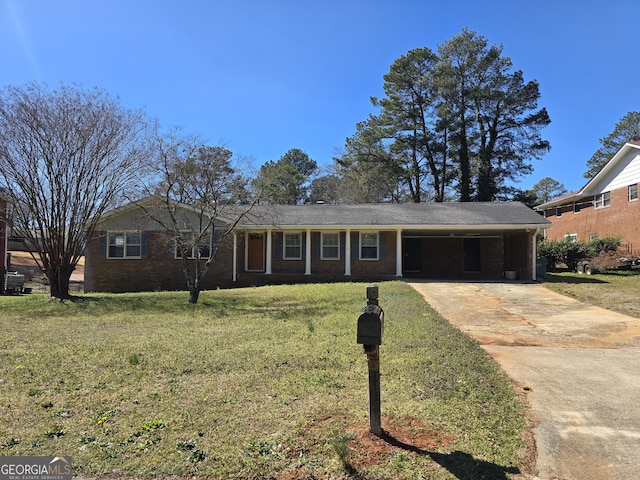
(499, 214)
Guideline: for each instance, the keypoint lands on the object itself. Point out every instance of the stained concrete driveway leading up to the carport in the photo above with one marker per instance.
(578, 364)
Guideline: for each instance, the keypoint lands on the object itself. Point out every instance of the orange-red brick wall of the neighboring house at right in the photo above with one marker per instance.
(619, 219)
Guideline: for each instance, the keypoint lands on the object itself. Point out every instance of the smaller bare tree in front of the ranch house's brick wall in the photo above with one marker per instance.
(198, 200)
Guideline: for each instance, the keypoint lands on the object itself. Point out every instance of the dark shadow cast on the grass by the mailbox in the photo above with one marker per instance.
(460, 464)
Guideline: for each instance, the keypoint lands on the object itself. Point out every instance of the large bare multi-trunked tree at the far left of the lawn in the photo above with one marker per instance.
(66, 155)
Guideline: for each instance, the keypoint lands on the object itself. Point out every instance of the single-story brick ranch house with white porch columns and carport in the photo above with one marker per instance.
(320, 243)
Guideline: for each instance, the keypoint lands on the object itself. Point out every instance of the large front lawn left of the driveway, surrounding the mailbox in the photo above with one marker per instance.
(252, 383)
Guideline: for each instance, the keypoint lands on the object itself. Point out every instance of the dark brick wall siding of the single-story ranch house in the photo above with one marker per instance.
(441, 257)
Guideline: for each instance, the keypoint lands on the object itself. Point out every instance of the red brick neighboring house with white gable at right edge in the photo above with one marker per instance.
(606, 206)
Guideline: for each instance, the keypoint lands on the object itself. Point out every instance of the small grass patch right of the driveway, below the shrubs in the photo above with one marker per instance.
(615, 290)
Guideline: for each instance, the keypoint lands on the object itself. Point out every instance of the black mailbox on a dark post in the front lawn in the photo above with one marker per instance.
(370, 330)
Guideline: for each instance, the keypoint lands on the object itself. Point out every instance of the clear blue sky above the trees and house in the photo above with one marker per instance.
(263, 77)
